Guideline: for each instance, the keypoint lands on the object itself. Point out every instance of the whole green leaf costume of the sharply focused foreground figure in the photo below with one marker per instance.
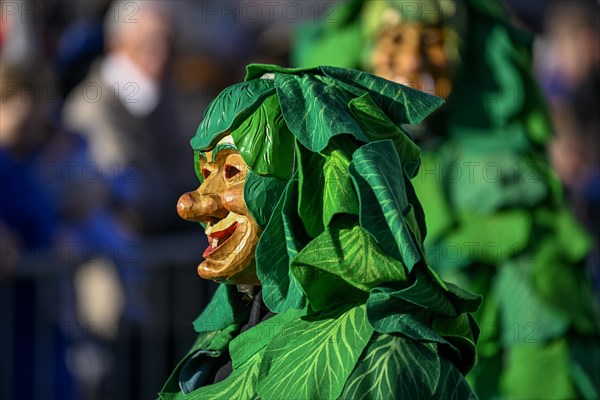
(359, 313)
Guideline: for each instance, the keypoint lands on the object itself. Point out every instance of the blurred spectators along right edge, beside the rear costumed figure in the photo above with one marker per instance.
(568, 68)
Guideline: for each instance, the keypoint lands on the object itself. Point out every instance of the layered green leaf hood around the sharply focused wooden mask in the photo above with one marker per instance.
(329, 183)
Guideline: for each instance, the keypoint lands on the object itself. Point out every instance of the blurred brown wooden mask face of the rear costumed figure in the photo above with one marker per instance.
(413, 54)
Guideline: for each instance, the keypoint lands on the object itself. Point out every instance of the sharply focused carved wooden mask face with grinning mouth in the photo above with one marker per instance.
(219, 202)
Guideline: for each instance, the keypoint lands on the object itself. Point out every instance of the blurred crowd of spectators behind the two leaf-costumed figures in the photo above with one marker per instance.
(98, 283)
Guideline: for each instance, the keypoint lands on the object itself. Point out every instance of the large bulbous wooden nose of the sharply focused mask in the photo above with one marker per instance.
(193, 206)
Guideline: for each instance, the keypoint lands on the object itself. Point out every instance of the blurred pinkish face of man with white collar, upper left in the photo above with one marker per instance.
(147, 43)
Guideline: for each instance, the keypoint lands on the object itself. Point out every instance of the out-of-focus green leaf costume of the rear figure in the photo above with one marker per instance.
(496, 219)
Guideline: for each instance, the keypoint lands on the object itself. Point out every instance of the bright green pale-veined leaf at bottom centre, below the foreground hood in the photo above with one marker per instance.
(314, 358)
